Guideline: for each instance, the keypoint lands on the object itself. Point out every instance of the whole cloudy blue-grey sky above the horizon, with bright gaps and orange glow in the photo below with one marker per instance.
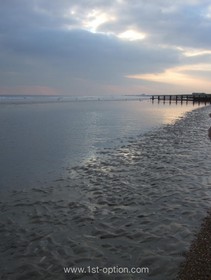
(107, 47)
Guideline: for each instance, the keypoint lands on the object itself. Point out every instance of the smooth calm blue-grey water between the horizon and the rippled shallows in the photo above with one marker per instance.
(37, 141)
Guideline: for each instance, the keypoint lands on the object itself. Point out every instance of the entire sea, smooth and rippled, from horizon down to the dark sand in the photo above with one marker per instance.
(101, 187)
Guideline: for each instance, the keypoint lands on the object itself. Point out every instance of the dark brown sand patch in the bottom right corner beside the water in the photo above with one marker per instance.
(198, 261)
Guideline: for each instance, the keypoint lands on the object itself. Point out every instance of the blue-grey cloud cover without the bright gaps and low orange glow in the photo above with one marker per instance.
(43, 43)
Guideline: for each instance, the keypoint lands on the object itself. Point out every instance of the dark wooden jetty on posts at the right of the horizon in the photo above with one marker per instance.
(194, 97)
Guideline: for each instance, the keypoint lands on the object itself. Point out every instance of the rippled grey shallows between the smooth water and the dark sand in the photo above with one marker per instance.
(137, 205)
